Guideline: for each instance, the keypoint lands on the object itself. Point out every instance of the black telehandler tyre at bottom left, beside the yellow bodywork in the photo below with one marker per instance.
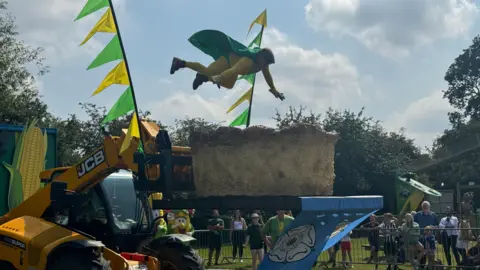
(73, 259)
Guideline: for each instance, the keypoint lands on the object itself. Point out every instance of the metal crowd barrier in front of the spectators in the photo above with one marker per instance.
(360, 250)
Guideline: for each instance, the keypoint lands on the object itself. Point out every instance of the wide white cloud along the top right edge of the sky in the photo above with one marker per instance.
(392, 28)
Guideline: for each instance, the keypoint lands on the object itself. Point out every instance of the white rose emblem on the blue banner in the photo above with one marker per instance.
(294, 245)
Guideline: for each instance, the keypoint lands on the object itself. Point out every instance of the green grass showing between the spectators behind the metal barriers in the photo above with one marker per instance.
(359, 255)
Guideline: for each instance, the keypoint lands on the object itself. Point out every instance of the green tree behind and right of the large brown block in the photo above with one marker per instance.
(366, 155)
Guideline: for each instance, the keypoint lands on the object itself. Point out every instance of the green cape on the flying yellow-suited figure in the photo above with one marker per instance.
(217, 44)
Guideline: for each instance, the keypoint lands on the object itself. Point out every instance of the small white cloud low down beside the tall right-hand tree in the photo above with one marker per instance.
(423, 119)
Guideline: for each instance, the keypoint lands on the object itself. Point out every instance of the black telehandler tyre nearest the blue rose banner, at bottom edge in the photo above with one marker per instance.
(177, 256)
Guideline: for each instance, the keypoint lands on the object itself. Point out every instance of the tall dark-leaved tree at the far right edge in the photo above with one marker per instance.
(456, 152)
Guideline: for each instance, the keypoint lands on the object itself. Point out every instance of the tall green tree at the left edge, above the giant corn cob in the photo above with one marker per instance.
(20, 100)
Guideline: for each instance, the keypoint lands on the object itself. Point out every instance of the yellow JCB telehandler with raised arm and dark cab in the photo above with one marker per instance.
(73, 223)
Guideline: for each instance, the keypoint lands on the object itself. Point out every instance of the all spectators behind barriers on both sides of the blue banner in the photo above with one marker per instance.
(414, 238)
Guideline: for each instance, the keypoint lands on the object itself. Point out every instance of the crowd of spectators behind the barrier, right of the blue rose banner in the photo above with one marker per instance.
(415, 239)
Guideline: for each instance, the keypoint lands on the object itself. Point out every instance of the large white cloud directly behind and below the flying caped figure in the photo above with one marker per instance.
(306, 77)
